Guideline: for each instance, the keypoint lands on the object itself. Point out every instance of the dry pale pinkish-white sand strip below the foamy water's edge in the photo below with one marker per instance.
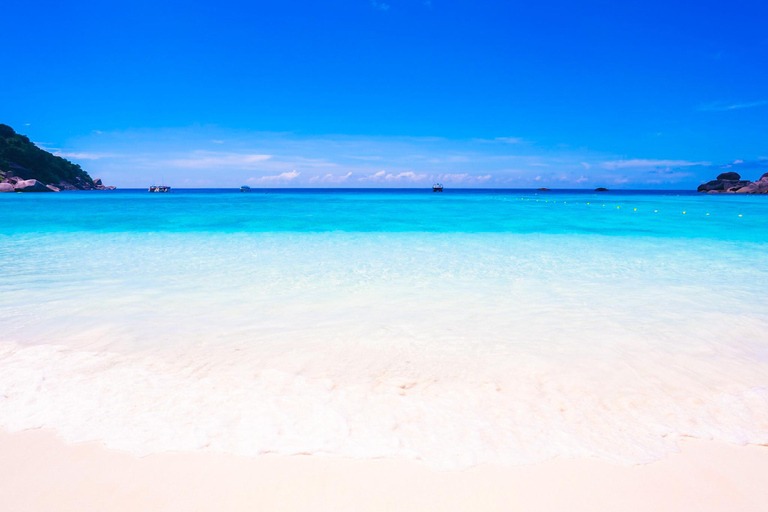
(40, 472)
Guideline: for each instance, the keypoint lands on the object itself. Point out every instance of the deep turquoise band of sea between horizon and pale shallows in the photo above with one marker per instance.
(471, 211)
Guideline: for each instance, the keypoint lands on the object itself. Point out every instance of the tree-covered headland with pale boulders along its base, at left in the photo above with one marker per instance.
(24, 167)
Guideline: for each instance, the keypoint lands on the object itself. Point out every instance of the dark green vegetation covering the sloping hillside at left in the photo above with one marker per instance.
(24, 159)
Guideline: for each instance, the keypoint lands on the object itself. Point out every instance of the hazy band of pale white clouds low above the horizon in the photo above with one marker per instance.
(213, 157)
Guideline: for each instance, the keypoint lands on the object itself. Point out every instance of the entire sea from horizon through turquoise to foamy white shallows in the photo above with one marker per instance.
(468, 327)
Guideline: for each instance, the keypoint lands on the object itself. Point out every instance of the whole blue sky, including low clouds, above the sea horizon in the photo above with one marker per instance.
(392, 93)
